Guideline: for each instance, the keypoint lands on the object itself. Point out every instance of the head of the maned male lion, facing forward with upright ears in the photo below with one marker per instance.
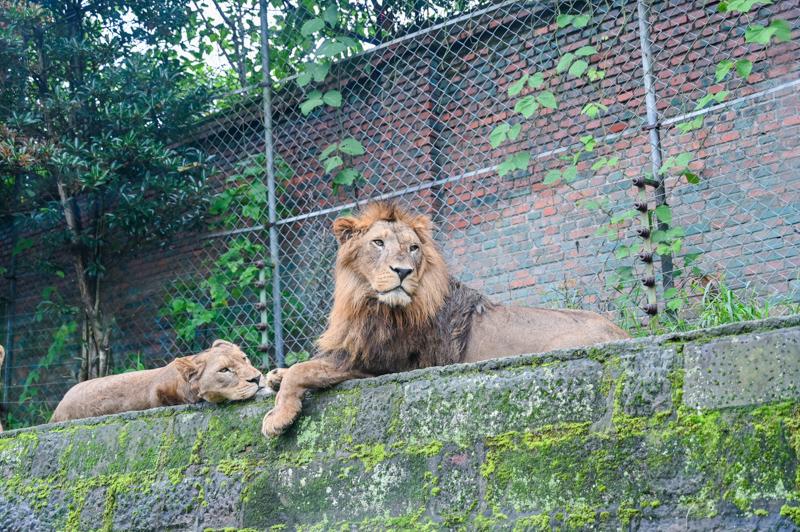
(388, 254)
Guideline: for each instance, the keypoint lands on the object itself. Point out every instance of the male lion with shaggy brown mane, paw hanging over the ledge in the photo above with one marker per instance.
(396, 308)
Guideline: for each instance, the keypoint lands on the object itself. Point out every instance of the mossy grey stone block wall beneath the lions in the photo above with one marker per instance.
(699, 430)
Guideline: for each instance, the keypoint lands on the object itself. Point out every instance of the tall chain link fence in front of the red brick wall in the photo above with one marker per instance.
(609, 156)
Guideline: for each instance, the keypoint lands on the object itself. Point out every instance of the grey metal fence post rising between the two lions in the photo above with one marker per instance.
(277, 322)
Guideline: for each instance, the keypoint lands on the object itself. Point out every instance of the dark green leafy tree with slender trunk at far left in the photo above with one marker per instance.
(88, 127)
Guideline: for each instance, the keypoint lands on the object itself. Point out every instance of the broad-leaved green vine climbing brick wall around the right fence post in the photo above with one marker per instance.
(661, 235)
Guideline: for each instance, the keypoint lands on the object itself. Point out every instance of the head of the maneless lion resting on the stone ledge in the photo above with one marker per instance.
(222, 373)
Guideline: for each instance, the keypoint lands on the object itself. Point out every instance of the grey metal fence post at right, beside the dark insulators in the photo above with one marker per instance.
(653, 128)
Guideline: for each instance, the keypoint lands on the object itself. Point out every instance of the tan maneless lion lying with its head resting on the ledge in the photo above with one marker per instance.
(221, 373)
